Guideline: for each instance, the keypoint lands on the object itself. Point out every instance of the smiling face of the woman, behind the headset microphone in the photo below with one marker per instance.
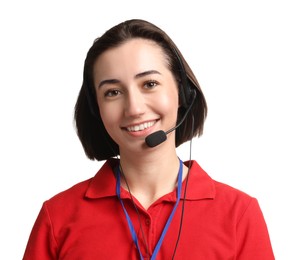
(136, 93)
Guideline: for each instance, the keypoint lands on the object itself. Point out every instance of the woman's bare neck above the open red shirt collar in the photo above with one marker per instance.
(150, 175)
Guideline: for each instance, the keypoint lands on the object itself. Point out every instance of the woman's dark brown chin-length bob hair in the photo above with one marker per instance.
(95, 140)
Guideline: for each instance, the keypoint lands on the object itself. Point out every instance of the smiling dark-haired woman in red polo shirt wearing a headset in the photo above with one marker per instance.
(140, 100)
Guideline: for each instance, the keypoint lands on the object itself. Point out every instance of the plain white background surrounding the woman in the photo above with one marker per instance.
(242, 52)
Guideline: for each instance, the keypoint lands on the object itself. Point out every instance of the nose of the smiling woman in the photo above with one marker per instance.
(134, 104)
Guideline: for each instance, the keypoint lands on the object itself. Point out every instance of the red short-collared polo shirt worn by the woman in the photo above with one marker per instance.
(87, 222)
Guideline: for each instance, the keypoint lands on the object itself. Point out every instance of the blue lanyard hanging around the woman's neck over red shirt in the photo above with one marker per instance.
(130, 224)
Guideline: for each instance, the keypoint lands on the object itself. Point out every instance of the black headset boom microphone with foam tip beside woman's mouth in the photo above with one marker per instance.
(160, 136)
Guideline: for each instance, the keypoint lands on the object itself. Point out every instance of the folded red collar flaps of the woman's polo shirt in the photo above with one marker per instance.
(200, 185)
